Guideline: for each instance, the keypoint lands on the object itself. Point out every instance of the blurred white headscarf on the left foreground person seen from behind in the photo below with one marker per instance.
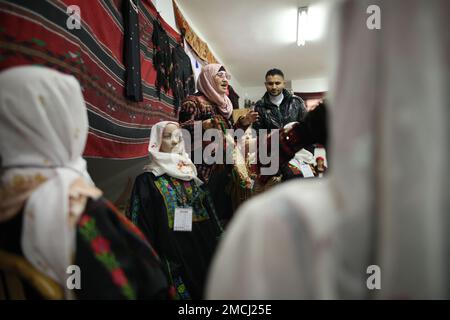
(43, 133)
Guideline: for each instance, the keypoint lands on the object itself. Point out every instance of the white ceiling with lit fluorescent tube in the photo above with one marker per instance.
(252, 36)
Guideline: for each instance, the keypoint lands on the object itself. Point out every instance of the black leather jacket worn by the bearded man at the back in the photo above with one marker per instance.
(291, 109)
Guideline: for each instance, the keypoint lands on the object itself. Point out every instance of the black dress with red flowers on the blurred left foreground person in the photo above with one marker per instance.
(115, 260)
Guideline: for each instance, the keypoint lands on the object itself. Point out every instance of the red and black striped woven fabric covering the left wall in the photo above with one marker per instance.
(35, 32)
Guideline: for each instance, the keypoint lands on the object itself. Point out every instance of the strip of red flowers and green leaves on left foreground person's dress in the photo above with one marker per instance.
(102, 249)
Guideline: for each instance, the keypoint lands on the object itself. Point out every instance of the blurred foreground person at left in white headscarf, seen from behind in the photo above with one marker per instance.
(51, 213)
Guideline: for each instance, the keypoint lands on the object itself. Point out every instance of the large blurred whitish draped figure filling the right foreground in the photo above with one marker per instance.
(386, 200)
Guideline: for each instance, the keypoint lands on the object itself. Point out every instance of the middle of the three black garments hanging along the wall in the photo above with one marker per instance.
(161, 57)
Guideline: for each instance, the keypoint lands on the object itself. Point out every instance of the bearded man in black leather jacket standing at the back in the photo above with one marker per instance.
(278, 107)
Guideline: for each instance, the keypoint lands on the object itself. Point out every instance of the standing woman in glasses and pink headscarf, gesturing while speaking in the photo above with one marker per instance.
(211, 108)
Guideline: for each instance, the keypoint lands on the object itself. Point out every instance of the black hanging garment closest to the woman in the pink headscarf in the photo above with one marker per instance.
(182, 79)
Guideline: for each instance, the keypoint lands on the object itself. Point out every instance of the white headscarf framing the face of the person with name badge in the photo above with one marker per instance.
(177, 165)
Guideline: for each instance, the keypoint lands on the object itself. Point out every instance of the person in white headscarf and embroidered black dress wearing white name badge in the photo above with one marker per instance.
(167, 191)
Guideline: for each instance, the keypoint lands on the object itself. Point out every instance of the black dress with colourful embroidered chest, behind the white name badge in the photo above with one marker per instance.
(186, 256)
